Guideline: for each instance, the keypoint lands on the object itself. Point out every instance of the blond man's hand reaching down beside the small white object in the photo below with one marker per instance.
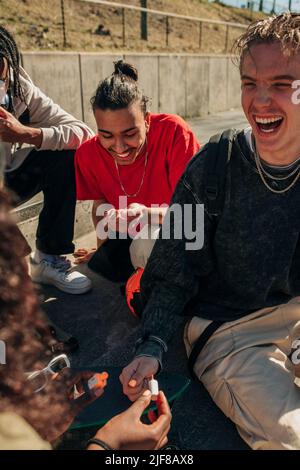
(133, 377)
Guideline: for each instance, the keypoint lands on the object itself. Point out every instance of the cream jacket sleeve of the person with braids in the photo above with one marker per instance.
(60, 129)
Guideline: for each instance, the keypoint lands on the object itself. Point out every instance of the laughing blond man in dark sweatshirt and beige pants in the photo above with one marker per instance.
(242, 288)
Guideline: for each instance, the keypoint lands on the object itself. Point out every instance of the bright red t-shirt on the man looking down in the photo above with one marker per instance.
(170, 144)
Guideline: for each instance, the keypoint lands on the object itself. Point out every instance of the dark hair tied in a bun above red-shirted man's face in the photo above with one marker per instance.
(120, 89)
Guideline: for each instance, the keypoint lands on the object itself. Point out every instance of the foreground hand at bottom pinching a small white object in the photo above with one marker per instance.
(126, 431)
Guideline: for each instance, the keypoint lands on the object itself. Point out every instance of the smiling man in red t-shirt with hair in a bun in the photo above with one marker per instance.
(130, 171)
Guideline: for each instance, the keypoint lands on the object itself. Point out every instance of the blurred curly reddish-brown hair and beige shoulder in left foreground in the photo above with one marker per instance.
(20, 320)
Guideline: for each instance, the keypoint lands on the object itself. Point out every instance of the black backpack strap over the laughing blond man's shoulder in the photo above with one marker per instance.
(219, 153)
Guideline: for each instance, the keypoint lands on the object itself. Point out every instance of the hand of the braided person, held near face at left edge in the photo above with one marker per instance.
(12, 131)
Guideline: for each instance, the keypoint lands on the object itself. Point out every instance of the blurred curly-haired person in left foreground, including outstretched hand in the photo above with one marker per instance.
(31, 420)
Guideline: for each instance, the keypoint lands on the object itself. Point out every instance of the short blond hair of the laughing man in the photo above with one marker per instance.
(284, 29)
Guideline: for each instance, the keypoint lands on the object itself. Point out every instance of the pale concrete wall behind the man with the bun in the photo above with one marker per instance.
(189, 85)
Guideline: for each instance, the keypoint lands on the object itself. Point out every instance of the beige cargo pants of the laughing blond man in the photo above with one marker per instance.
(247, 370)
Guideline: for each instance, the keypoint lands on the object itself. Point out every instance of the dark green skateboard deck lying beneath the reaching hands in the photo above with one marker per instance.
(113, 401)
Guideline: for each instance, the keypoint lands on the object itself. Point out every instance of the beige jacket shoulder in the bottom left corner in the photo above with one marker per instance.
(17, 434)
